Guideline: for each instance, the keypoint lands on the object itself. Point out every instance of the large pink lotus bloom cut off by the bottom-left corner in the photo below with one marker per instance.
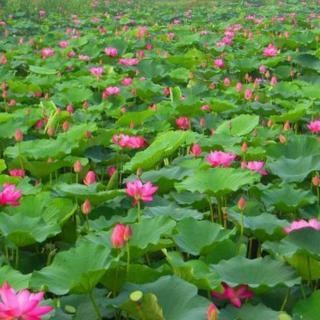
(23, 305)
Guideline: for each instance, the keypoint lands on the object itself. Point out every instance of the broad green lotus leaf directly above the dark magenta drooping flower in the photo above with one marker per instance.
(256, 273)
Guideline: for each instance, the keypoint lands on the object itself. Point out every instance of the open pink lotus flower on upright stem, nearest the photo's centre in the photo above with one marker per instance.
(139, 191)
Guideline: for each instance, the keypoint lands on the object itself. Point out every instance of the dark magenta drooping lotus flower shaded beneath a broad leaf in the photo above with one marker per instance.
(234, 295)
